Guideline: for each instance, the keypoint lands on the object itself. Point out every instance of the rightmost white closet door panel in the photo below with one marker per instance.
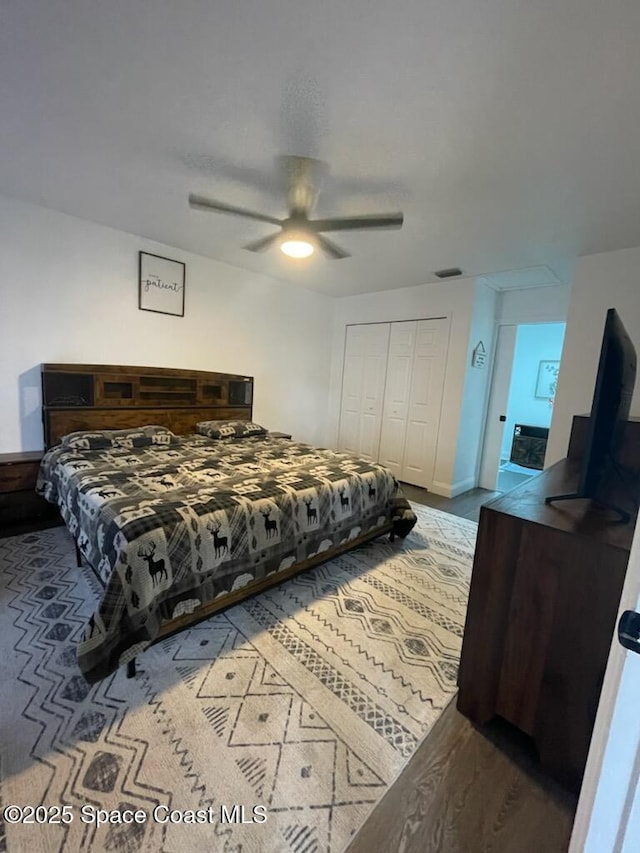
(425, 401)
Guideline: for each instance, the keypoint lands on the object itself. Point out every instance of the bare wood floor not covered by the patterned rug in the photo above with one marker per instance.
(469, 789)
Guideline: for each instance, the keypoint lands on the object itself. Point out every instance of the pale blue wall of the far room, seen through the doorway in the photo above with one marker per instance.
(534, 343)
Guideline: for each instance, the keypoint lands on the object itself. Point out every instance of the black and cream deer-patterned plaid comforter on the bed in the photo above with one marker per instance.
(170, 528)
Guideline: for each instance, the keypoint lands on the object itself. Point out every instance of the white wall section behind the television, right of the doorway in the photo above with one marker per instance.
(606, 280)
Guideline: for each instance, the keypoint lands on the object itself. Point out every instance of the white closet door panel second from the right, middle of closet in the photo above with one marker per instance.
(397, 395)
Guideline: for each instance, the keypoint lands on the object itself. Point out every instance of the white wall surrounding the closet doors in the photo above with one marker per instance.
(455, 300)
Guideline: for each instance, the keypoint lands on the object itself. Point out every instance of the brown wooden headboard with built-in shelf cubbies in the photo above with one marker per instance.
(101, 396)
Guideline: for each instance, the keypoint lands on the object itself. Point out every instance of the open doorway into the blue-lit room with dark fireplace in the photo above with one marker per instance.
(525, 373)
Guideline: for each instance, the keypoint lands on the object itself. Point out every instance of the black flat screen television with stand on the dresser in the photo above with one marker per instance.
(615, 381)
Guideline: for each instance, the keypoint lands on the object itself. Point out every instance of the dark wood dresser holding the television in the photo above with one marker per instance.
(543, 603)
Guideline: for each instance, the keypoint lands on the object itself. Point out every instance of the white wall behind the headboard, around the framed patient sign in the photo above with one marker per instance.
(69, 293)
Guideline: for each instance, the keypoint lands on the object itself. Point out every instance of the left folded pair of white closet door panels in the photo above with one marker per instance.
(363, 389)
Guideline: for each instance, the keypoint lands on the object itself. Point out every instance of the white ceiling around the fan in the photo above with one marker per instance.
(508, 131)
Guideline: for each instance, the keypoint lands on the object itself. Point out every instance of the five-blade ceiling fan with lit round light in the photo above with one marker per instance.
(299, 235)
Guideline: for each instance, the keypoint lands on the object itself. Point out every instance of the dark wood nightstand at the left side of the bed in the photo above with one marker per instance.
(21, 509)
